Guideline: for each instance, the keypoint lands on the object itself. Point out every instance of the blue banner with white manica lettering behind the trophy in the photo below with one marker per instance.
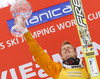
(46, 15)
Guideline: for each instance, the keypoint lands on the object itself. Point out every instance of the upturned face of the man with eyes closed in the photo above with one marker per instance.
(67, 51)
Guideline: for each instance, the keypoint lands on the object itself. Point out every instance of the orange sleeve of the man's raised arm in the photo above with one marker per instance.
(43, 60)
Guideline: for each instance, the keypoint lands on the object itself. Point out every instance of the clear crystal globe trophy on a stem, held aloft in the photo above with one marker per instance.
(20, 10)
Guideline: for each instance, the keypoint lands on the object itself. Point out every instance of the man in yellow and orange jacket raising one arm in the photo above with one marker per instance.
(72, 67)
